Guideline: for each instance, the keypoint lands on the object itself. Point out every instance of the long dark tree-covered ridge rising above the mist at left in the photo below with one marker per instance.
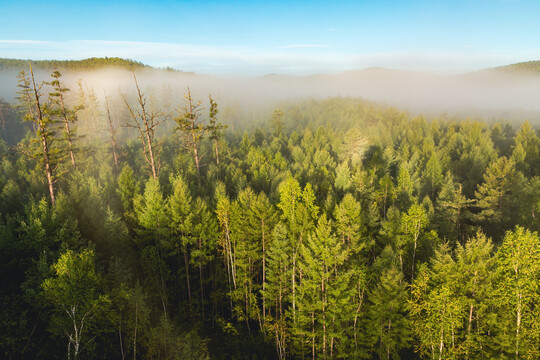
(85, 64)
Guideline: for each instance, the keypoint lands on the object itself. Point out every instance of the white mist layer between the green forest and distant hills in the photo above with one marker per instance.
(485, 93)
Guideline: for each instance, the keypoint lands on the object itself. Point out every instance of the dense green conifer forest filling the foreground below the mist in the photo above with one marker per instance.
(139, 226)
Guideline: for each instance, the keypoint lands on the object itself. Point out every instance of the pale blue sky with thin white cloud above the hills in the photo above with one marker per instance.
(286, 37)
